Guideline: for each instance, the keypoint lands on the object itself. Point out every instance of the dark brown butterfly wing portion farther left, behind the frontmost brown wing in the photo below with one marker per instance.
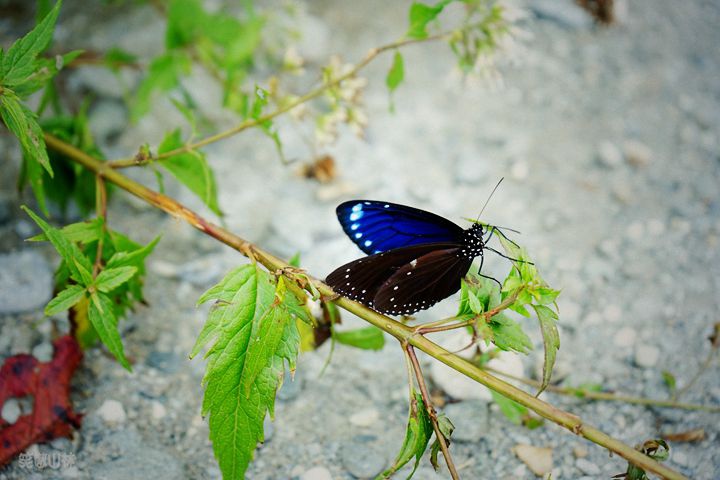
(361, 279)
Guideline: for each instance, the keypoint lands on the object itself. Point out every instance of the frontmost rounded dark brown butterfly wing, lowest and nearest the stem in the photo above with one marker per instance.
(422, 283)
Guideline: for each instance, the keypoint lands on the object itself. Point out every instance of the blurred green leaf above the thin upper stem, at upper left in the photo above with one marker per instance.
(163, 75)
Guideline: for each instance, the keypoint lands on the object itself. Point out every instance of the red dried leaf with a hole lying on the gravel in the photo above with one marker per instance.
(49, 384)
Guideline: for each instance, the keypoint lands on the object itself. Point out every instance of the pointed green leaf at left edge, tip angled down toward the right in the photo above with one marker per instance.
(23, 124)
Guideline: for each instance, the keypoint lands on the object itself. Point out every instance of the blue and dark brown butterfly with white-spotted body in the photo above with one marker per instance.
(415, 258)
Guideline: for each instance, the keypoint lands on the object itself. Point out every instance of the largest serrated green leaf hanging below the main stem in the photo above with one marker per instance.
(254, 336)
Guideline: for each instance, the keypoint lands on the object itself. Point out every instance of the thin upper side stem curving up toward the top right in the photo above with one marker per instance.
(244, 125)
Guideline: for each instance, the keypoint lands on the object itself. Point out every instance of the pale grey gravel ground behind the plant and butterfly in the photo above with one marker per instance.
(608, 139)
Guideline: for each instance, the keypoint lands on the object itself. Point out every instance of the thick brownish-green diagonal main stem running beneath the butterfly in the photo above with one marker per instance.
(398, 330)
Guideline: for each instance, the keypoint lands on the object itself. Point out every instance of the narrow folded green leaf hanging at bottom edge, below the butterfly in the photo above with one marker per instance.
(417, 435)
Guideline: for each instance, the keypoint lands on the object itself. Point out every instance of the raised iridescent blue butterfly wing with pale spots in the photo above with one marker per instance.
(377, 227)
